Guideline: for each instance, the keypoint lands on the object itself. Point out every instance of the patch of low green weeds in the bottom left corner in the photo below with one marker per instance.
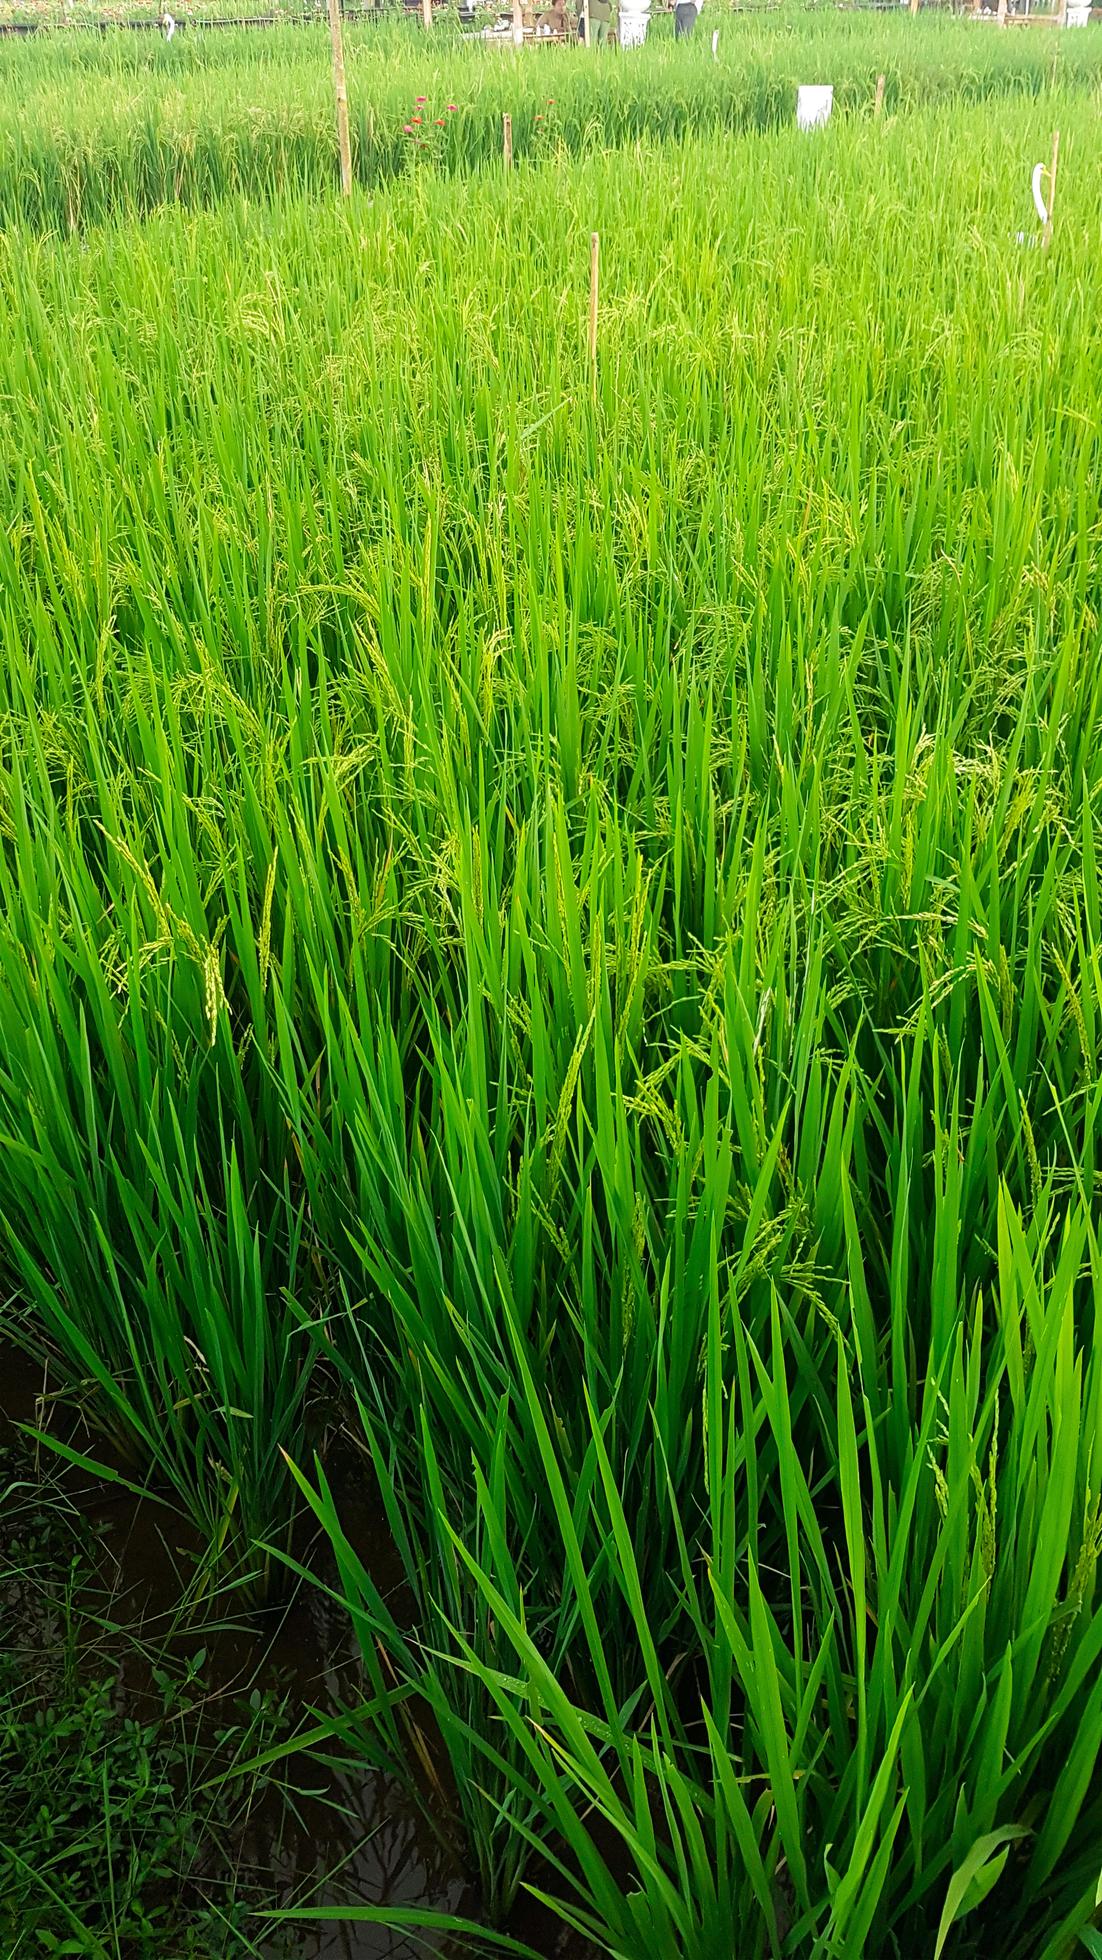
(109, 1849)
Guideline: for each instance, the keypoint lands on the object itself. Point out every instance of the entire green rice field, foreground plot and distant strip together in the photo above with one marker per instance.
(550, 930)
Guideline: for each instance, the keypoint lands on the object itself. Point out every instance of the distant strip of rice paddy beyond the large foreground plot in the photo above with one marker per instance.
(105, 126)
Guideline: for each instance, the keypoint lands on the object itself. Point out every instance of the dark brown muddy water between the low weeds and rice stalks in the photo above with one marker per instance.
(344, 1839)
